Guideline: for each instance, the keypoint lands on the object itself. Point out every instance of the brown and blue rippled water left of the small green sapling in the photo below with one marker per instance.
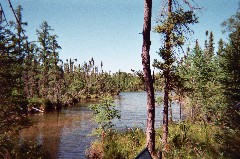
(63, 134)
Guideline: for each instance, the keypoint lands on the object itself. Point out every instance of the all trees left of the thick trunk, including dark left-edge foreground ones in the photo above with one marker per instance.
(33, 76)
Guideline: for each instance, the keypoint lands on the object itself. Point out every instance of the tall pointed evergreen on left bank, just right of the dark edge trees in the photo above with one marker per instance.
(50, 72)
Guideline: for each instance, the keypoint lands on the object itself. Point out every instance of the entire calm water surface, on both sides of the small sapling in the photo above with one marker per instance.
(65, 133)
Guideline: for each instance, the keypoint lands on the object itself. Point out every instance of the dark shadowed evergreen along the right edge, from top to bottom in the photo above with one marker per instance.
(229, 61)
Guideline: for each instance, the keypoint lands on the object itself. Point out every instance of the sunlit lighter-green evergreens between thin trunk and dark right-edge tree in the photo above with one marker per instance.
(200, 73)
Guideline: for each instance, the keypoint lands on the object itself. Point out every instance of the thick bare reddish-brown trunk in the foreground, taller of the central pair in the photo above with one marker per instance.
(150, 133)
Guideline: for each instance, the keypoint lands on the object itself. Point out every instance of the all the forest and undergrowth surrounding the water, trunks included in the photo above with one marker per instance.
(205, 81)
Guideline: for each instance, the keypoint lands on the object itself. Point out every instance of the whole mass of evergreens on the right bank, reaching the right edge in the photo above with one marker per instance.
(208, 80)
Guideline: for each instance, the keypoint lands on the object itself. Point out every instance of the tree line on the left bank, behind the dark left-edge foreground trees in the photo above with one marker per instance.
(48, 81)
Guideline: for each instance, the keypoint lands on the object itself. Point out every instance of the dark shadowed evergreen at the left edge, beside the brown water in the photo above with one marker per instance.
(13, 103)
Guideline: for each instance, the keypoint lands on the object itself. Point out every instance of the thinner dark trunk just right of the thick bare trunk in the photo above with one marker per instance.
(167, 83)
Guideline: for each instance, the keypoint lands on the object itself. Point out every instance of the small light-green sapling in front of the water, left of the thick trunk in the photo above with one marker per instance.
(104, 113)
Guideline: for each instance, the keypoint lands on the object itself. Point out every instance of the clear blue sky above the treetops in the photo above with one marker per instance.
(108, 30)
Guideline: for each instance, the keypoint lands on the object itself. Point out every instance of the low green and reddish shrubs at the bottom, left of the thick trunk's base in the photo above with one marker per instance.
(119, 144)
